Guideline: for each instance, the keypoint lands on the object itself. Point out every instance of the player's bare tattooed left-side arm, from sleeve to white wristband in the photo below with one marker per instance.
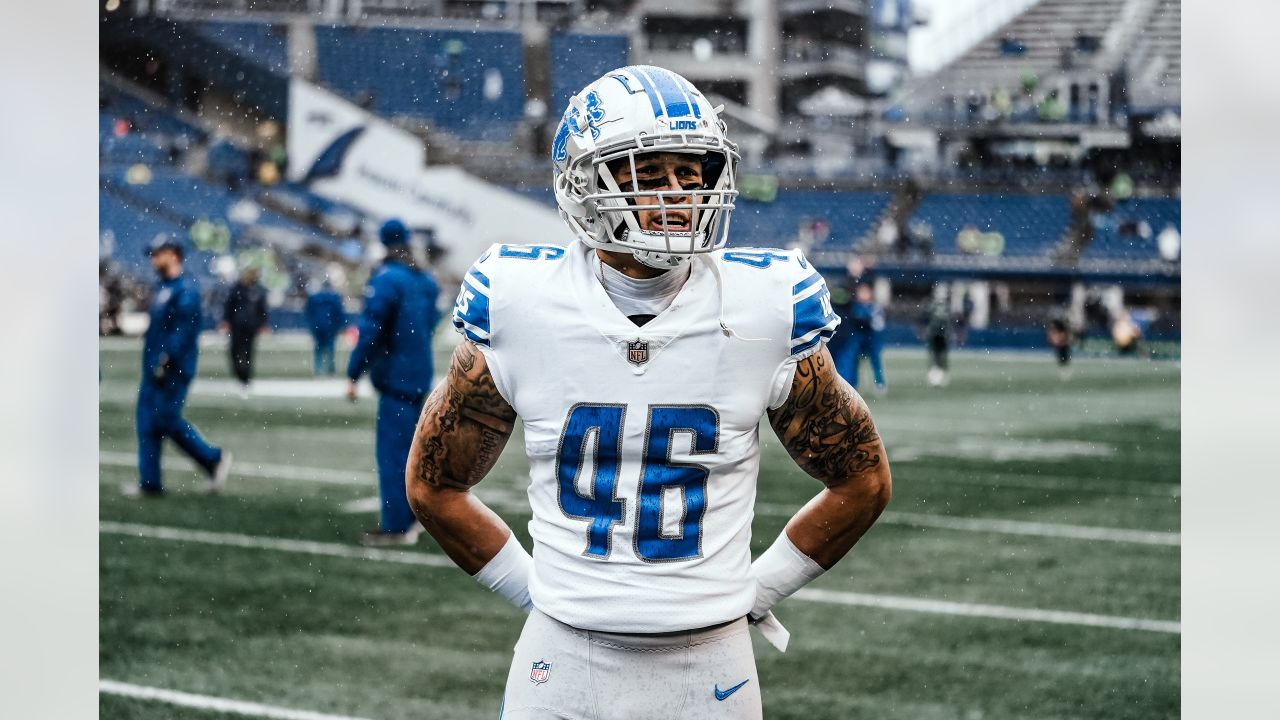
(464, 427)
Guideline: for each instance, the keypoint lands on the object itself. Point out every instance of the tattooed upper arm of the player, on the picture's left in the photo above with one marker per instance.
(464, 427)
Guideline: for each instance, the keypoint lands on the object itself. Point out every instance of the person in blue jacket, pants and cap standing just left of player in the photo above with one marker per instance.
(395, 348)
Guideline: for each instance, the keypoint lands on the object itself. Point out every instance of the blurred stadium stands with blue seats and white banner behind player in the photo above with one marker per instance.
(1036, 171)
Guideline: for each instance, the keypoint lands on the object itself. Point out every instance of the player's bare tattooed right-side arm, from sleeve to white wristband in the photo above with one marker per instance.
(828, 430)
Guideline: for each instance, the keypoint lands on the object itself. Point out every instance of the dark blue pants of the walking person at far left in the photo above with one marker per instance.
(159, 416)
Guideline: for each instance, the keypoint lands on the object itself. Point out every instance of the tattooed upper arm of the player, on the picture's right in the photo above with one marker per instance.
(826, 426)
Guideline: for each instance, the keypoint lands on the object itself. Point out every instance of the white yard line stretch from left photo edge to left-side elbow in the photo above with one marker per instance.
(281, 545)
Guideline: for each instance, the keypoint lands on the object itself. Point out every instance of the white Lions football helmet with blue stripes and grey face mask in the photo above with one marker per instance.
(628, 113)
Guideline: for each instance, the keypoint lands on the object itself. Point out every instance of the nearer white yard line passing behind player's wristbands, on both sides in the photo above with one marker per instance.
(833, 598)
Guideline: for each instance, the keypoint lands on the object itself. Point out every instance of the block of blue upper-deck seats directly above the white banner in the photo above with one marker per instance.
(435, 75)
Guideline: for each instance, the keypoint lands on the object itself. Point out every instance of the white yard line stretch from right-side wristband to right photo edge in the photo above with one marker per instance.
(994, 612)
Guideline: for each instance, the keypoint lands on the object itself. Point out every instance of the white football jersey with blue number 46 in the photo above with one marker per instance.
(643, 441)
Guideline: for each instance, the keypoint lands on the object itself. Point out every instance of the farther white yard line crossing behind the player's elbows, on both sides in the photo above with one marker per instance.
(518, 503)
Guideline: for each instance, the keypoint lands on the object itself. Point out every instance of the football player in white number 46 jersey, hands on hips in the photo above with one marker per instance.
(641, 361)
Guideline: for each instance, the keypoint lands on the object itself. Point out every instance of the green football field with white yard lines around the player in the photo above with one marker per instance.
(1028, 566)
